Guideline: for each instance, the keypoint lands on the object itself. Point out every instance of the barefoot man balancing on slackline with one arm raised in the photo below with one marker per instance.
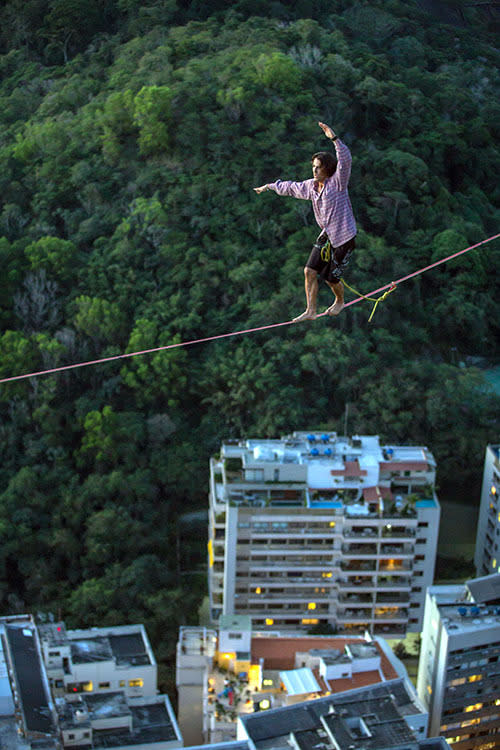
(327, 190)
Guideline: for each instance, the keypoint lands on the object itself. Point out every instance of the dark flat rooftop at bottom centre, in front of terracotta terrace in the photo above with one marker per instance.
(366, 719)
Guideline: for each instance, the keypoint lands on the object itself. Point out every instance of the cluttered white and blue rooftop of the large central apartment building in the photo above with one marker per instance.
(334, 471)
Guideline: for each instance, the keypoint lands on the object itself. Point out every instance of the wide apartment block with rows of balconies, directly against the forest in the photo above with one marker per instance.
(320, 529)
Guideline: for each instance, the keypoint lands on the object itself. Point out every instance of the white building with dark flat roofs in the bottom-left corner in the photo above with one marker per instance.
(38, 713)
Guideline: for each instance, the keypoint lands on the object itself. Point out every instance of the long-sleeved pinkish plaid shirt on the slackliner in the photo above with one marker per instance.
(332, 207)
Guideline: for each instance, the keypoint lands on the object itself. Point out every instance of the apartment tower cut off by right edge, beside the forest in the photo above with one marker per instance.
(487, 554)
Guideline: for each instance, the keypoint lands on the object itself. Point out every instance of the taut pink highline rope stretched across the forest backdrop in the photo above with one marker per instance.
(392, 284)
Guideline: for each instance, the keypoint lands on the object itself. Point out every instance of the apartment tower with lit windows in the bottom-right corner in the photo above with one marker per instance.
(459, 668)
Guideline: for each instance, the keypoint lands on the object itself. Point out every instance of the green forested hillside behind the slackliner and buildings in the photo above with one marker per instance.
(132, 136)
